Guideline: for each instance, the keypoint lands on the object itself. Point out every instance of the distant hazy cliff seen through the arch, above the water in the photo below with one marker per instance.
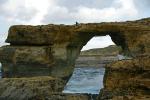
(98, 57)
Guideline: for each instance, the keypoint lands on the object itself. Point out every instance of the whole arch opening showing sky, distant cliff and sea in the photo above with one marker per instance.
(89, 67)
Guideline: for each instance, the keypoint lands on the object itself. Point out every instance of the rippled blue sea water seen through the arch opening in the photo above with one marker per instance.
(85, 80)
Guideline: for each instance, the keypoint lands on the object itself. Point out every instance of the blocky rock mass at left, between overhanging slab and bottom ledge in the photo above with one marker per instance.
(25, 61)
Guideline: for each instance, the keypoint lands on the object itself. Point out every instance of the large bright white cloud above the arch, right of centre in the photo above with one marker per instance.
(84, 12)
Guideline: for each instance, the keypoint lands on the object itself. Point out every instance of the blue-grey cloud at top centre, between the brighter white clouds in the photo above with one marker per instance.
(72, 7)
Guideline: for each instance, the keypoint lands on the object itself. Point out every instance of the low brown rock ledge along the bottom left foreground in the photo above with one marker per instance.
(36, 88)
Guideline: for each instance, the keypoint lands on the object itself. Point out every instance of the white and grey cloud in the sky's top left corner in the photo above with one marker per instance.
(24, 11)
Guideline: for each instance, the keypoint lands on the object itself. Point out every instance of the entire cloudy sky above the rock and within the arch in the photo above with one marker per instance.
(36, 12)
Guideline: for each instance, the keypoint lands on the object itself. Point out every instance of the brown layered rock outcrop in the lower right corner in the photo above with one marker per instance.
(127, 79)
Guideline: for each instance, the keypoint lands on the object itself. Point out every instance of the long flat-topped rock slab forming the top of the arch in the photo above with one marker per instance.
(49, 34)
